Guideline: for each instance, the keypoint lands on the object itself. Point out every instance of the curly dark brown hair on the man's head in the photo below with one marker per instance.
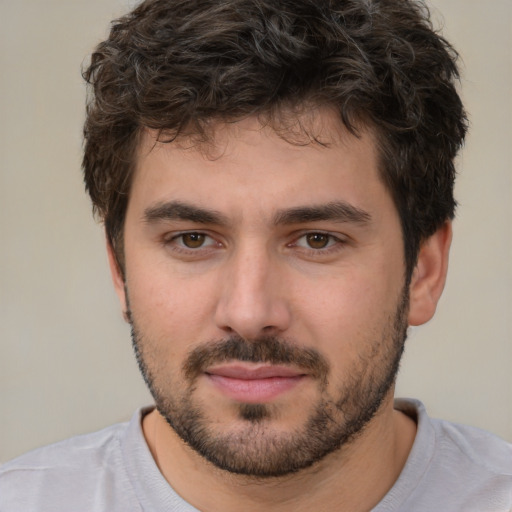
(177, 65)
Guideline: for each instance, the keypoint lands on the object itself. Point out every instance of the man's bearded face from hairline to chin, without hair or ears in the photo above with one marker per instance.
(265, 285)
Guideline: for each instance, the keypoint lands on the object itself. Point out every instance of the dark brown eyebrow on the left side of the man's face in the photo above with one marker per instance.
(177, 210)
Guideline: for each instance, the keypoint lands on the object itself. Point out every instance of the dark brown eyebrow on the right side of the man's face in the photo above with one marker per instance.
(338, 211)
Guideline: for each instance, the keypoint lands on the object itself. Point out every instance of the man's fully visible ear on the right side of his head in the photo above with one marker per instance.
(429, 275)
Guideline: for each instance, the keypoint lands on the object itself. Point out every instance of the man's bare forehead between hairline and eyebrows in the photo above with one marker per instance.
(307, 158)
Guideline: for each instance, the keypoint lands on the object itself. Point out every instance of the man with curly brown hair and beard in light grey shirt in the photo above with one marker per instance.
(276, 183)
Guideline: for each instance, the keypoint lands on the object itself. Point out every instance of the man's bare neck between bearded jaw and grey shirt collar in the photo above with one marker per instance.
(355, 477)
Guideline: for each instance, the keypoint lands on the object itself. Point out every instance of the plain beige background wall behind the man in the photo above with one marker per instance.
(66, 365)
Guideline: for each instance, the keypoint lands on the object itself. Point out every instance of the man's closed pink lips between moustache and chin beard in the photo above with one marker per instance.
(249, 383)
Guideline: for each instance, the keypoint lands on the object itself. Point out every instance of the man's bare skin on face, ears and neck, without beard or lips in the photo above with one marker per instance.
(253, 277)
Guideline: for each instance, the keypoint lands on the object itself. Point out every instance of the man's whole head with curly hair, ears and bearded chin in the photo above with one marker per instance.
(225, 145)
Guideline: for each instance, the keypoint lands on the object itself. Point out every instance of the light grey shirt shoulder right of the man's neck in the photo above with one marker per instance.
(453, 466)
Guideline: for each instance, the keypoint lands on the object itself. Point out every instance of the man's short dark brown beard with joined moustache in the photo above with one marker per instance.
(255, 448)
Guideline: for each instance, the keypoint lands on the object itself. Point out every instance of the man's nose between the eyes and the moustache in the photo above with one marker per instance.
(252, 299)
